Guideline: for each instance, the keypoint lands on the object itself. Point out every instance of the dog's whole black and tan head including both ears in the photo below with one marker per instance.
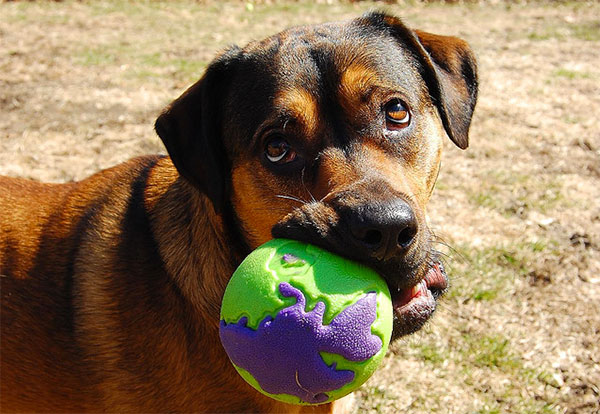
(332, 135)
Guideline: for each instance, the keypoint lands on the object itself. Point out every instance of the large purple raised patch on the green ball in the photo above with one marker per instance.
(282, 354)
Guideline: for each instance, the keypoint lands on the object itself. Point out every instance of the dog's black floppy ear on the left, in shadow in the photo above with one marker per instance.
(190, 130)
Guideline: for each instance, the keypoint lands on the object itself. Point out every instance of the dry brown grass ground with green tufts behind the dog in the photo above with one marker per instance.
(519, 332)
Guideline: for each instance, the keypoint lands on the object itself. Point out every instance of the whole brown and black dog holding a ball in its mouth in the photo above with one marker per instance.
(330, 134)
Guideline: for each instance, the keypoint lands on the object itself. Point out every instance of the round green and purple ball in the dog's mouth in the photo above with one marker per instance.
(302, 325)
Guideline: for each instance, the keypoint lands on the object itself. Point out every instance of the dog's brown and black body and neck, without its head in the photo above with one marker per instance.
(104, 329)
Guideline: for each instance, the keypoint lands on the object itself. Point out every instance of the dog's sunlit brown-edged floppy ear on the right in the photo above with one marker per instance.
(449, 69)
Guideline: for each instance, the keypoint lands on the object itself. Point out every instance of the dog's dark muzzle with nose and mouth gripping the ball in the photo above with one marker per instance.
(385, 235)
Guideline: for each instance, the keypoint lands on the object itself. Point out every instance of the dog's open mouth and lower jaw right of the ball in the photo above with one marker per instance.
(413, 306)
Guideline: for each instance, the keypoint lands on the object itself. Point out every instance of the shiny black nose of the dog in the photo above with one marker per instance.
(383, 229)
